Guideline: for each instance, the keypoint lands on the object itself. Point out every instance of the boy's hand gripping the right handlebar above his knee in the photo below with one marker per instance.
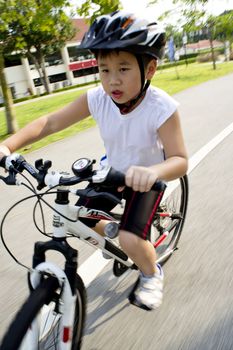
(141, 178)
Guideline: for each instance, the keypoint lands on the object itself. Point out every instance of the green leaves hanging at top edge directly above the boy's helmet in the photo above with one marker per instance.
(92, 9)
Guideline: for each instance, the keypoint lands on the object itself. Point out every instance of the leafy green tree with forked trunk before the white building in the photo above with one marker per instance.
(46, 30)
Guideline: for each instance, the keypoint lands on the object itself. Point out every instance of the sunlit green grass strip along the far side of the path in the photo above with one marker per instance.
(172, 80)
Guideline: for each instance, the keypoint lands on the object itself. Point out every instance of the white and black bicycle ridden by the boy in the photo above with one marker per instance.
(53, 315)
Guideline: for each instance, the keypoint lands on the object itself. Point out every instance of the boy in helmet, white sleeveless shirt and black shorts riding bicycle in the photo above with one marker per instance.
(138, 124)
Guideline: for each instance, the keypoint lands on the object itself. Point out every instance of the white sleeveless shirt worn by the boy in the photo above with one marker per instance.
(131, 139)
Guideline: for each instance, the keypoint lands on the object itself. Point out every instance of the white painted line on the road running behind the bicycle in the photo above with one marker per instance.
(92, 266)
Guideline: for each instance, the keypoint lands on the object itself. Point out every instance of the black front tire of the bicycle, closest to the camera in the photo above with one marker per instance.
(45, 294)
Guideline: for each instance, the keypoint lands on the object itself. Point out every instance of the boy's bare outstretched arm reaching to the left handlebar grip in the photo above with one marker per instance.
(46, 125)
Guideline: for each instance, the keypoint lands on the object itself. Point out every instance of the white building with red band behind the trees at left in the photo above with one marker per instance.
(70, 66)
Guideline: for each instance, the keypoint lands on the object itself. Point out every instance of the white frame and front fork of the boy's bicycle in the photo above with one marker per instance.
(60, 228)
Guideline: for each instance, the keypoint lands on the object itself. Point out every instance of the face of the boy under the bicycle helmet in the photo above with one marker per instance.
(120, 76)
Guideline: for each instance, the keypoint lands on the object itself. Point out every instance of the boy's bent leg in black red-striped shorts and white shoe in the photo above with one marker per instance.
(134, 234)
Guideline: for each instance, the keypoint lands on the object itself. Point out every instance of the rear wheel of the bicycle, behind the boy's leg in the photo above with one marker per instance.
(169, 219)
